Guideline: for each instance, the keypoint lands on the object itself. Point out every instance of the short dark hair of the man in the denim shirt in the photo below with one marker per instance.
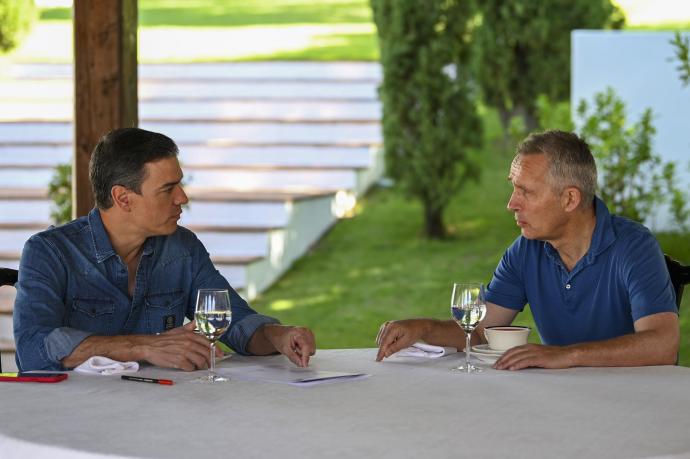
(120, 157)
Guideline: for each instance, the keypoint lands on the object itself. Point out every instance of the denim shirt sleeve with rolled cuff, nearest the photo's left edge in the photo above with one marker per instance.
(39, 311)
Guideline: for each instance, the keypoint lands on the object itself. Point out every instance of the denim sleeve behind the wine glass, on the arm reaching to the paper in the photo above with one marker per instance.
(245, 321)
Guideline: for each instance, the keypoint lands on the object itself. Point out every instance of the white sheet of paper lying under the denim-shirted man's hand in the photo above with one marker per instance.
(284, 374)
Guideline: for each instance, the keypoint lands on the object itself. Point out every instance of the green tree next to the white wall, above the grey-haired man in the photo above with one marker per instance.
(524, 50)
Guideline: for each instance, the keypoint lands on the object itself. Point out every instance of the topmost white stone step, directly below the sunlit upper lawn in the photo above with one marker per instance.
(300, 71)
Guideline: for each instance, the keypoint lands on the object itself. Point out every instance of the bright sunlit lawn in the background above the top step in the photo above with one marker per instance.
(250, 30)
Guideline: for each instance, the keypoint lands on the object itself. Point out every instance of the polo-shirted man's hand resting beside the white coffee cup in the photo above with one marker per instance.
(534, 355)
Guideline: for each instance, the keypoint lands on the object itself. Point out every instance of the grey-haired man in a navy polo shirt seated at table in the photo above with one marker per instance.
(597, 284)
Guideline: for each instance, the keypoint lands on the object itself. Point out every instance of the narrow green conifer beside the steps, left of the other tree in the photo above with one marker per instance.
(430, 120)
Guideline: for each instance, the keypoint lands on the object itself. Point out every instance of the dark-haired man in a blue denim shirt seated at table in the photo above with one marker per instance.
(119, 282)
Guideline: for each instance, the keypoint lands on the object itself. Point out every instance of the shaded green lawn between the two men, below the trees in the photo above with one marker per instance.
(377, 266)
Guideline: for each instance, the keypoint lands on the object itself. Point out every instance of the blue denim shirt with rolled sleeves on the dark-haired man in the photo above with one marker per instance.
(72, 285)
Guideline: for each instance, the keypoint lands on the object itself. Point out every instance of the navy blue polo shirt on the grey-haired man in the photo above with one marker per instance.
(622, 278)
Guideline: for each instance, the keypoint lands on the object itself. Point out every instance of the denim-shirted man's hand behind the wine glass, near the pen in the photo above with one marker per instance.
(179, 348)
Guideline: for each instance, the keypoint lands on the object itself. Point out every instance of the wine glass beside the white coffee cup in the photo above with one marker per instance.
(468, 308)
